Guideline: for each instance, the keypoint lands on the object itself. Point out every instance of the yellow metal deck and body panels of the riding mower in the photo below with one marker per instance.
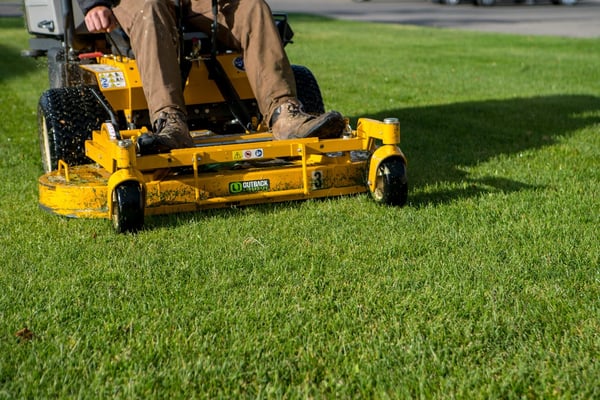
(220, 170)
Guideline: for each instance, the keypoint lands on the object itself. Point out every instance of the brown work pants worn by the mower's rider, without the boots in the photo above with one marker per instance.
(246, 25)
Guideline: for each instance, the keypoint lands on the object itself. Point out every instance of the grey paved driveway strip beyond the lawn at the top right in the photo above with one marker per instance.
(542, 18)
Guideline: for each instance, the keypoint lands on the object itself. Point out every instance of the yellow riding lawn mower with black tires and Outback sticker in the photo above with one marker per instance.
(95, 110)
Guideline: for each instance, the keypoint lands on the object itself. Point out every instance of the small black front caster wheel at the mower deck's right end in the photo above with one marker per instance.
(391, 185)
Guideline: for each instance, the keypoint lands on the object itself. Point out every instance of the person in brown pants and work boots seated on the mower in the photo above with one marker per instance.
(244, 25)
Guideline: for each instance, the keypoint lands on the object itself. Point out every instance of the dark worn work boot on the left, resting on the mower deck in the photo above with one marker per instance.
(170, 132)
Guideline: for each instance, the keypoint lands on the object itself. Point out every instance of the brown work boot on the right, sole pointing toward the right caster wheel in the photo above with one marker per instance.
(289, 121)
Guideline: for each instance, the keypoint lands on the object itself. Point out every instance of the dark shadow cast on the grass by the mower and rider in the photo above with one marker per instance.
(441, 141)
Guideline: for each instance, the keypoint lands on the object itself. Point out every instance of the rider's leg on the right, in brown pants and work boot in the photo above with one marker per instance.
(248, 25)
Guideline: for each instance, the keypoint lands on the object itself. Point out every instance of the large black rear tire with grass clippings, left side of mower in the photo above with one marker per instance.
(66, 118)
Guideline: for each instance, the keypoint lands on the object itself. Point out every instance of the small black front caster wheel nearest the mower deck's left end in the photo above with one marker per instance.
(128, 207)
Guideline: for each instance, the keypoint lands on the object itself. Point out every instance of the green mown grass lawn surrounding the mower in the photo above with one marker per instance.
(487, 285)
